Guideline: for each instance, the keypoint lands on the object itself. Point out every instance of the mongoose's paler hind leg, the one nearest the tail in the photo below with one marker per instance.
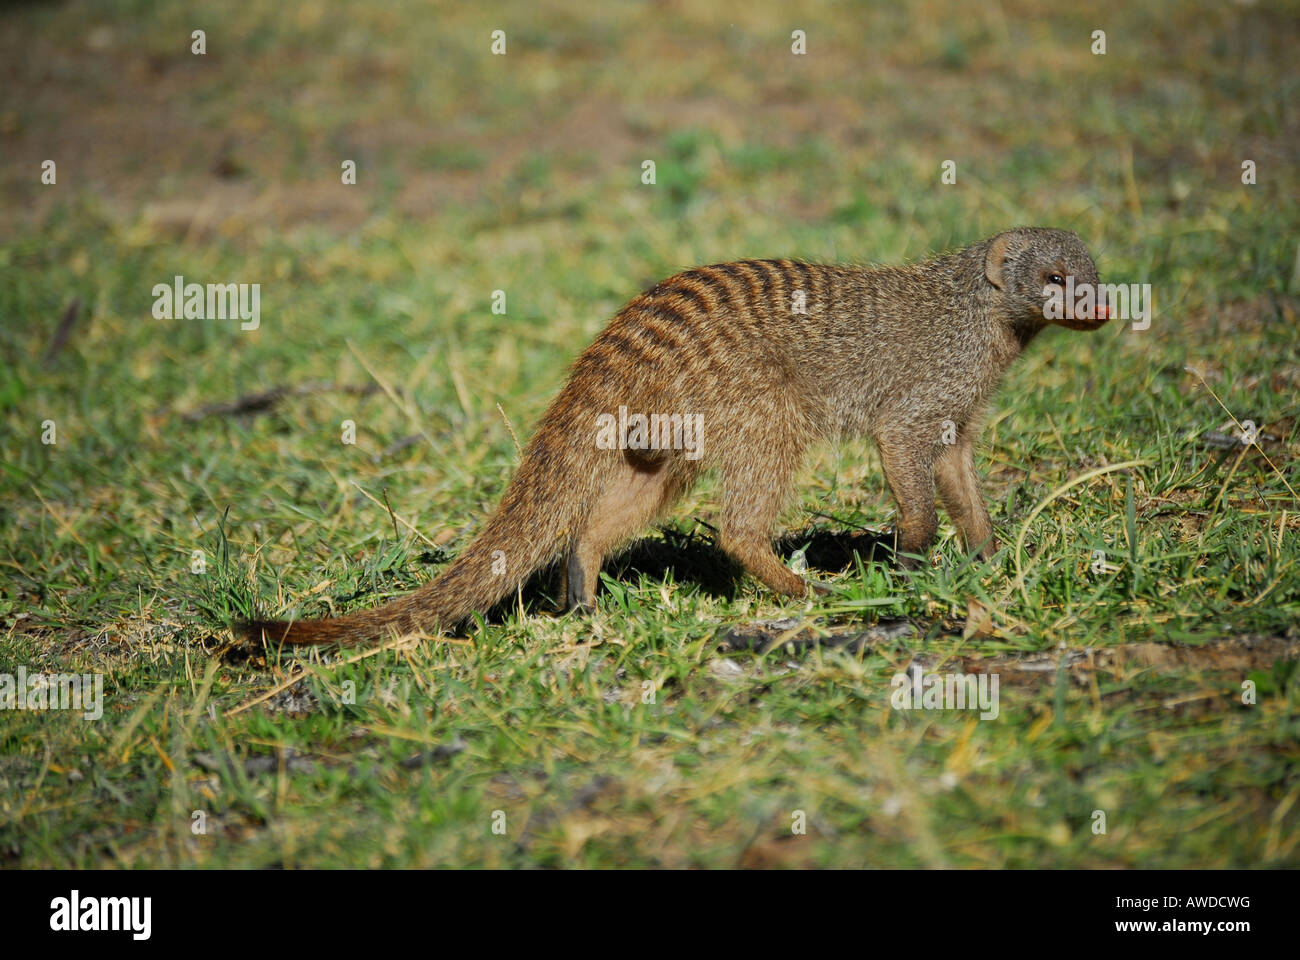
(640, 491)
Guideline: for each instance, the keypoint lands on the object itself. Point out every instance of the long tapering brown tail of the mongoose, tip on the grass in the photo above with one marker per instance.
(528, 531)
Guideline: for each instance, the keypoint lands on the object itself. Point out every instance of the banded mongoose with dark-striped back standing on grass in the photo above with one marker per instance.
(769, 358)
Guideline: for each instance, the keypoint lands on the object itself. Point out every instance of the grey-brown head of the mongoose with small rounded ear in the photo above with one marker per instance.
(1047, 278)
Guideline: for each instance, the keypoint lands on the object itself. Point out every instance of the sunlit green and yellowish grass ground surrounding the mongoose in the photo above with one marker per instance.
(635, 737)
